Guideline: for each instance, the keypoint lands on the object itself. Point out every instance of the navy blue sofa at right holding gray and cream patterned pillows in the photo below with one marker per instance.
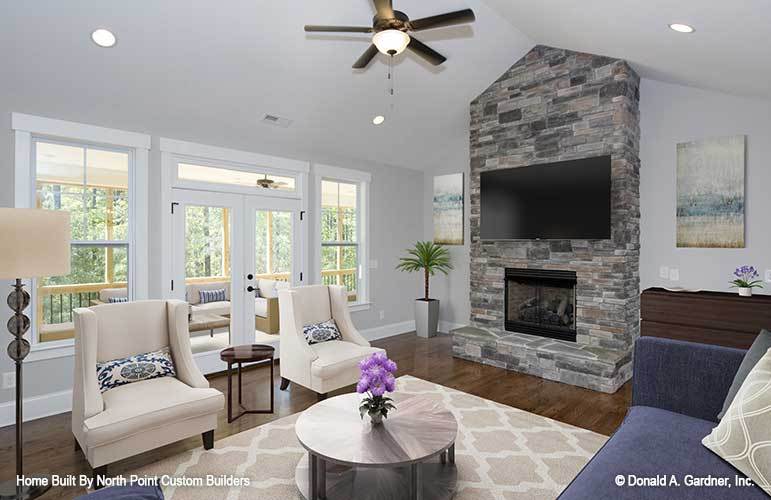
(678, 389)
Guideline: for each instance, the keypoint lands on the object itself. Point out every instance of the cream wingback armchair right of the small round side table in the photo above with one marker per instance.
(329, 365)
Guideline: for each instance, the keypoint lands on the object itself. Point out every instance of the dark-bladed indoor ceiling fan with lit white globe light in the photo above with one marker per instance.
(391, 37)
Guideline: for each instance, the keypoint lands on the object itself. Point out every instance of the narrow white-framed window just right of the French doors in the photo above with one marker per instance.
(342, 230)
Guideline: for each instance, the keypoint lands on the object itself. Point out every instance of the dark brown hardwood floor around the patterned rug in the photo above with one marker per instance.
(49, 446)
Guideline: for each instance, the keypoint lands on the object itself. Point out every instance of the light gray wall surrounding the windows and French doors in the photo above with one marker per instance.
(395, 223)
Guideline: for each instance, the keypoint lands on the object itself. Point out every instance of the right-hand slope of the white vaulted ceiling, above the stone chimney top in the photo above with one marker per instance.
(730, 51)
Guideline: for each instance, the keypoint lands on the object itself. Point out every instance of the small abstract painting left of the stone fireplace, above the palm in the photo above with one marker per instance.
(448, 209)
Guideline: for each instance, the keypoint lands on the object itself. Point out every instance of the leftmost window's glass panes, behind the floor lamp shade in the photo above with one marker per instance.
(92, 183)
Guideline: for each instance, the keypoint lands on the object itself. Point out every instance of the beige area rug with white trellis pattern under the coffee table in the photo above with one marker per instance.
(502, 453)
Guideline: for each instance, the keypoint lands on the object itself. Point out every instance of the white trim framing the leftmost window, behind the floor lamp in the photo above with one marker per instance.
(26, 127)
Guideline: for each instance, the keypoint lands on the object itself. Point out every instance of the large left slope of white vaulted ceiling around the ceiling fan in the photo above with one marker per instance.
(208, 71)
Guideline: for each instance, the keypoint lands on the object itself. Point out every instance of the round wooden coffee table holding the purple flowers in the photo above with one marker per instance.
(410, 455)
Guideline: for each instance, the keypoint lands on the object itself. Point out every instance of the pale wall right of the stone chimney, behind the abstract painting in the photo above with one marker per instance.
(671, 114)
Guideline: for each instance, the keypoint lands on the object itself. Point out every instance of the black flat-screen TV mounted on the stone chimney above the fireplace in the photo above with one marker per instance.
(555, 201)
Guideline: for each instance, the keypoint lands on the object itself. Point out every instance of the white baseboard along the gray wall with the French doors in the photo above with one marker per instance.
(60, 402)
